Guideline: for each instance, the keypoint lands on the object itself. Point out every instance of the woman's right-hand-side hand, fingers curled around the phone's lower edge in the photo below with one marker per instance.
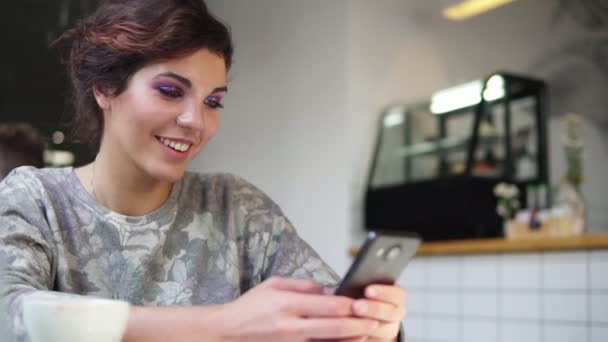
(386, 304)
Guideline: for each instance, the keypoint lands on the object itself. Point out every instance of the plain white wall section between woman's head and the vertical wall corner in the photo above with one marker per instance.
(282, 128)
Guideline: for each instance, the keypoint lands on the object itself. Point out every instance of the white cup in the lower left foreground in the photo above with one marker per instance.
(74, 319)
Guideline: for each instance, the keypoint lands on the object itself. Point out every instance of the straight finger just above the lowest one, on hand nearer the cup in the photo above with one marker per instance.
(316, 306)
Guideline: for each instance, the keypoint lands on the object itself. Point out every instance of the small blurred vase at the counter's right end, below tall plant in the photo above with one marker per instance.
(570, 204)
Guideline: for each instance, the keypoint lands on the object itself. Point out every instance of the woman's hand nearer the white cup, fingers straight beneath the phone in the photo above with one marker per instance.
(295, 310)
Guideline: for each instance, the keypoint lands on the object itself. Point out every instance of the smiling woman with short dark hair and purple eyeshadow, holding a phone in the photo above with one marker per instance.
(199, 257)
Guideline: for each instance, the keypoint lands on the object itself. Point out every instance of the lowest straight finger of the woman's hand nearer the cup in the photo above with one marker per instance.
(337, 328)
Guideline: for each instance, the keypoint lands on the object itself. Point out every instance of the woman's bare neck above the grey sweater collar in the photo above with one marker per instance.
(122, 187)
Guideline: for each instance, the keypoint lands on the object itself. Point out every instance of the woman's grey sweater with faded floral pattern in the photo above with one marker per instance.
(213, 239)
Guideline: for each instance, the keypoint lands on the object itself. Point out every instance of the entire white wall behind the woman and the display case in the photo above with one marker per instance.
(311, 77)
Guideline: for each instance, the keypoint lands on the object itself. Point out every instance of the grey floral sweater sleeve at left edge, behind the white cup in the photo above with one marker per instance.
(26, 252)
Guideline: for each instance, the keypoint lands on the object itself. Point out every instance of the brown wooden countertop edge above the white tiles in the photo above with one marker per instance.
(500, 246)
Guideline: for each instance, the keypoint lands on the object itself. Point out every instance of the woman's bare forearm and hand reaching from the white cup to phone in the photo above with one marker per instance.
(277, 310)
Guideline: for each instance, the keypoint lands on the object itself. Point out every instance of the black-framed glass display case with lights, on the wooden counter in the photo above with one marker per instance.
(435, 156)
